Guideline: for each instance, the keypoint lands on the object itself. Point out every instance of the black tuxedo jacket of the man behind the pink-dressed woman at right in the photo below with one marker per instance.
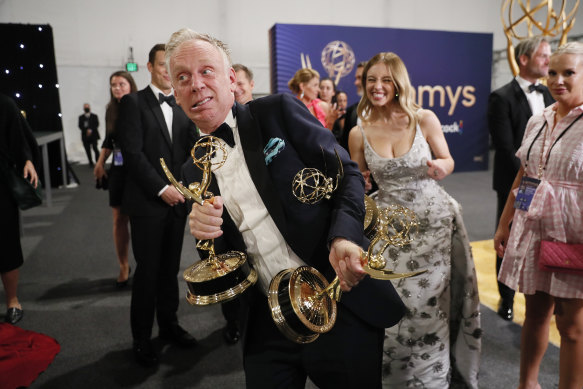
(508, 113)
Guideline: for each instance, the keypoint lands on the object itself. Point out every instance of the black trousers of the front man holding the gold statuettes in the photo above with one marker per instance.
(349, 356)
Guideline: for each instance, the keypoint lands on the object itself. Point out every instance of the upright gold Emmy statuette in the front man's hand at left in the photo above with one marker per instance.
(220, 277)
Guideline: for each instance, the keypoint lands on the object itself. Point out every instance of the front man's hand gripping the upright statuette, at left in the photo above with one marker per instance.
(205, 220)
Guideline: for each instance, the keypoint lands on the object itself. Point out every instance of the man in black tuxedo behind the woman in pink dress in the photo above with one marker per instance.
(509, 109)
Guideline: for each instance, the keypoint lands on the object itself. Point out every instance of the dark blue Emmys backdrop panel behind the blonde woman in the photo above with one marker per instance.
(450, 72)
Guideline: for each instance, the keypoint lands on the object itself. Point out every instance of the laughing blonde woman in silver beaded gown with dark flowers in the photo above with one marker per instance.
(437, 343)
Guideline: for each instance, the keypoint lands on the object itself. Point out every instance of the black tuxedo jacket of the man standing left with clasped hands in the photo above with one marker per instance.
(144, 139)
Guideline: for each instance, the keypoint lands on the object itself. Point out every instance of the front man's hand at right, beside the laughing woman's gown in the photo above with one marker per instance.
(345, 257)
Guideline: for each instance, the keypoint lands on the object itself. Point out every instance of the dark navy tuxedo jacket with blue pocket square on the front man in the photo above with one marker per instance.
(307, 229)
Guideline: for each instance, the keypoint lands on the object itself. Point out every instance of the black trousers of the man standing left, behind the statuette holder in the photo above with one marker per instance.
(157, 244)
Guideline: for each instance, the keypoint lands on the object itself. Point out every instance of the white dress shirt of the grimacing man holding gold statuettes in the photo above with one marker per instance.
(266, 248)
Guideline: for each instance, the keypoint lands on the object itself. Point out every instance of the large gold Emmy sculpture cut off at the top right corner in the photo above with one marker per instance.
(554, 23)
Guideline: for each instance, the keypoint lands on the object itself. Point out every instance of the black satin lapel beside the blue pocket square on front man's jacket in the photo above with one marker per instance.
(252, 145)
